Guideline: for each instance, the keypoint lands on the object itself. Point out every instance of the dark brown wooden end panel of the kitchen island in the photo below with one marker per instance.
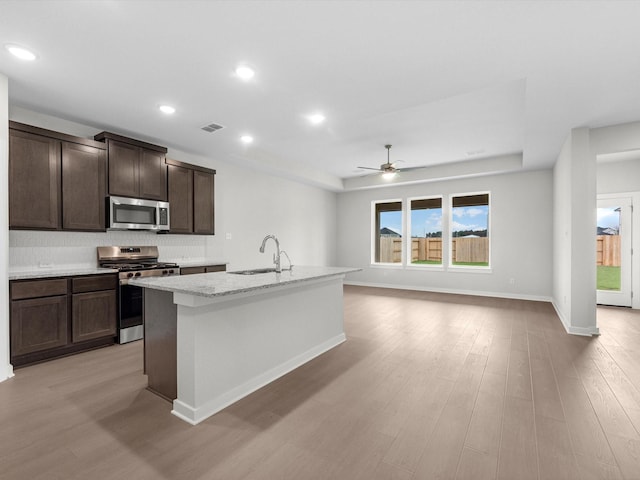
(160, 317)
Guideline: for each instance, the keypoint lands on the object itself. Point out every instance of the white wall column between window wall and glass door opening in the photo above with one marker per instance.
(574, 218)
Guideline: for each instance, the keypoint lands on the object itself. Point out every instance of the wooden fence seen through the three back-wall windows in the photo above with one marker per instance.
(463, 249)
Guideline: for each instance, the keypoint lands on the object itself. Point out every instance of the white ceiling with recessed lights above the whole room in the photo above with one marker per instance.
(442, 81)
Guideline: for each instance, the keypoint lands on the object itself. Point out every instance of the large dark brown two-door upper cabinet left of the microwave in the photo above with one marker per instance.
(56, 181)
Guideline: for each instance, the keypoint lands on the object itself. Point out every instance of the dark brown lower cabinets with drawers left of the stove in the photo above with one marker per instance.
(54, 317)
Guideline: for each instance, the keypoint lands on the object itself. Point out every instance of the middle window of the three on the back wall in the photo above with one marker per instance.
(425, 223)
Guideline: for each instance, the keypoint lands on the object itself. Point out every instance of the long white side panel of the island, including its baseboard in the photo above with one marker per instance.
(229, 349)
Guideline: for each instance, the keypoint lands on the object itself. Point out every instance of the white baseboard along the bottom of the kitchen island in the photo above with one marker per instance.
(196, 415)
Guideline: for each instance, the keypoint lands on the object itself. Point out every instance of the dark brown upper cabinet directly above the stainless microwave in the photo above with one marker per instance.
(136, 169)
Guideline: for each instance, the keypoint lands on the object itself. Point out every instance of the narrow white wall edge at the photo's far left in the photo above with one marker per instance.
(5, 367)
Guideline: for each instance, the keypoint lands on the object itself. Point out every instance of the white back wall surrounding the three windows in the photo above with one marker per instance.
(520, 231)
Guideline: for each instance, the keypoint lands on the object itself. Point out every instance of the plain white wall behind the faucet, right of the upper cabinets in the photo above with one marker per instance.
(250, 205)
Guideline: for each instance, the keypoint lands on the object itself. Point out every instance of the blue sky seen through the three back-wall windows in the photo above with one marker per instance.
(430, 220)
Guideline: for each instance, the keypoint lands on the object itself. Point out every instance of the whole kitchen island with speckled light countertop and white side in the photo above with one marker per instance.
(213, 338)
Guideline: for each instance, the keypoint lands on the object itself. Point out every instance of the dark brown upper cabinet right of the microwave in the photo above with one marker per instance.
(191, 198)
